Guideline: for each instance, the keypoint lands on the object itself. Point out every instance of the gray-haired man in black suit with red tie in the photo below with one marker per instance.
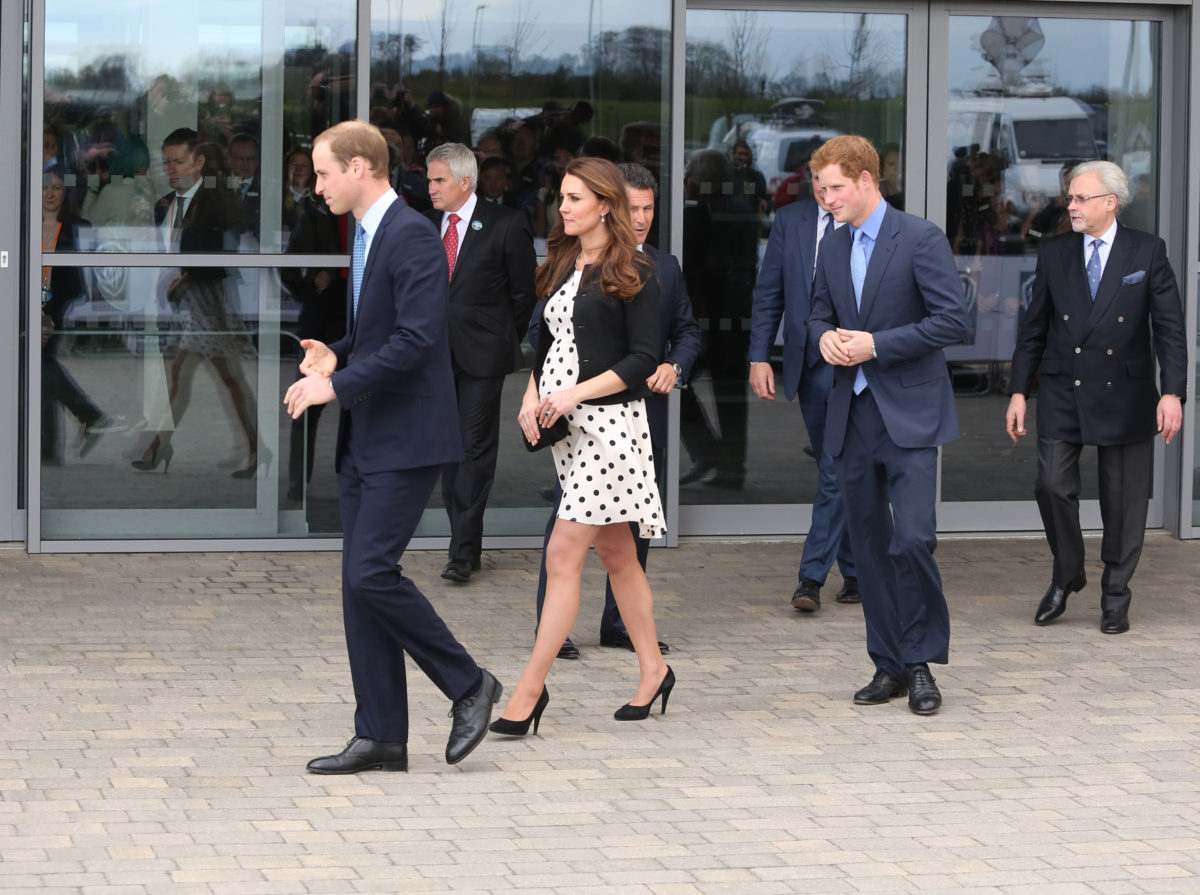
(493, 262)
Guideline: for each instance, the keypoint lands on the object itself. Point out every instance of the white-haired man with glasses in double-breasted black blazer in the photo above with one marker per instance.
(1106, 304)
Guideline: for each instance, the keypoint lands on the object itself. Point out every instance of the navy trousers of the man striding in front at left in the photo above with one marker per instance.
(386, 615)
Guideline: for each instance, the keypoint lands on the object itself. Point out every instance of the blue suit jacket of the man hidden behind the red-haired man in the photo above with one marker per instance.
(784, 291)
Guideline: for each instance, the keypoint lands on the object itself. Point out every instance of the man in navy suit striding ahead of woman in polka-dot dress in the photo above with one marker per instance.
(399, 425)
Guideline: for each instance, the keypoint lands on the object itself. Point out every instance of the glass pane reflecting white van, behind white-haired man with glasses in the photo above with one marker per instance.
(1025, 105)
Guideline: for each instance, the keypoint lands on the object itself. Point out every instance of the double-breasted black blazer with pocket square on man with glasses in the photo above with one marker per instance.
(1095, 362)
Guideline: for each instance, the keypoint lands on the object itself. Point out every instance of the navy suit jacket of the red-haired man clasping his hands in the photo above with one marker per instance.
(913, 304)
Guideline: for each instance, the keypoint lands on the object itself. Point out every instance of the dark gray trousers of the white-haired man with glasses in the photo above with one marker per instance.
(1126, 476)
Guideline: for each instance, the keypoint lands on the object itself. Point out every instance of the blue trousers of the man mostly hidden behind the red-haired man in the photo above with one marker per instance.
(829, 538)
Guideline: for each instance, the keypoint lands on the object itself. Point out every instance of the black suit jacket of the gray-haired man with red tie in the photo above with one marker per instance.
(491, 292)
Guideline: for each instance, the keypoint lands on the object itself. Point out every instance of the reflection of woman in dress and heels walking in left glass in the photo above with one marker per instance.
(203, 299)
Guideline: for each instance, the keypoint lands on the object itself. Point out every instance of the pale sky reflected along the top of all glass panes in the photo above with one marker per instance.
(170, 35)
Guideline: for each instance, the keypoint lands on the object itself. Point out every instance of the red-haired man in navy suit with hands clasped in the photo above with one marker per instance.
(887, 302)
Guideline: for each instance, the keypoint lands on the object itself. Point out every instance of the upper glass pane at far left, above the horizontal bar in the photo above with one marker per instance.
(254, 83)
